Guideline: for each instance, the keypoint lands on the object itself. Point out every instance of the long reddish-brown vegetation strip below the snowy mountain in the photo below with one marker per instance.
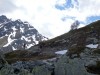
(25, 55)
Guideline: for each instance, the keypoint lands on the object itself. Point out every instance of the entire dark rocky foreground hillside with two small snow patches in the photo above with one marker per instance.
(48, 58)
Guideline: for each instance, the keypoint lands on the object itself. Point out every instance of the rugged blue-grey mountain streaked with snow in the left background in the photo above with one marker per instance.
(15, 34)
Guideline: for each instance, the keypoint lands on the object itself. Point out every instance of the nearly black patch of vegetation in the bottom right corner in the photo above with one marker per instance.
(95, 69)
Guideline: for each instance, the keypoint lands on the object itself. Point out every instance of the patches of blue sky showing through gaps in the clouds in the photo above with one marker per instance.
(69, 5)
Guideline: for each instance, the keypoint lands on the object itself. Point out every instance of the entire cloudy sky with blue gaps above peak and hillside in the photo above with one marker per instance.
(52, 17)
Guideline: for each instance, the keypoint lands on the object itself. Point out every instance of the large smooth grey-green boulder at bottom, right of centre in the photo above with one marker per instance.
(67, 66)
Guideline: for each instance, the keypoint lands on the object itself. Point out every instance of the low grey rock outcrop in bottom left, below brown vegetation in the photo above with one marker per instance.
(26, 68)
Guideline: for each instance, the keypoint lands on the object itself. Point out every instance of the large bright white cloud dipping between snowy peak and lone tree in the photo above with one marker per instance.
(43, 16)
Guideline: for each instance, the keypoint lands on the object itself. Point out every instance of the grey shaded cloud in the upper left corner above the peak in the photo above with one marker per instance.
(6, 6)
